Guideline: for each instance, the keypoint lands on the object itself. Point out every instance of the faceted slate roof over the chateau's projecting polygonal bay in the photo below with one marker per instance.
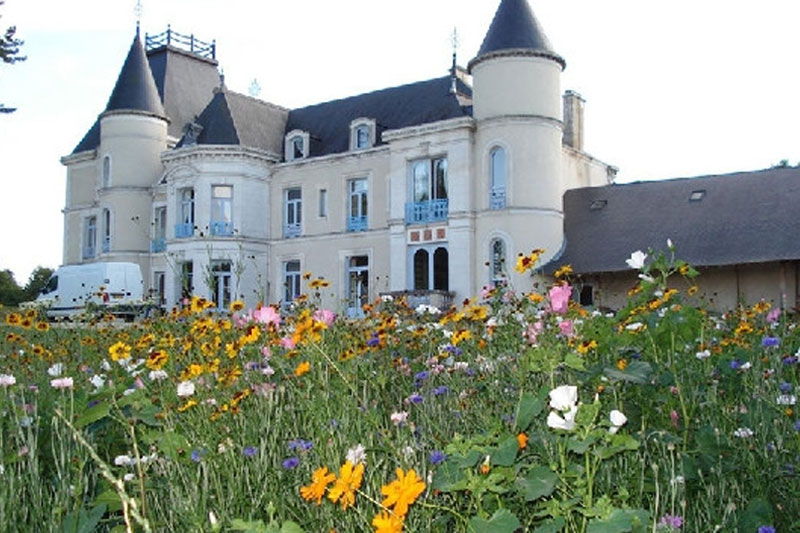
(236, 119)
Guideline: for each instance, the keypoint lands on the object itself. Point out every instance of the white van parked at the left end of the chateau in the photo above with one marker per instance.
(116, 286)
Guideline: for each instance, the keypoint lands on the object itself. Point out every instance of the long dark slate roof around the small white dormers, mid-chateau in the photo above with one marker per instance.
(398, 107)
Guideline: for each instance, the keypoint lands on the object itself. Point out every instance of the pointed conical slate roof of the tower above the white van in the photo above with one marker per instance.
(136, 89)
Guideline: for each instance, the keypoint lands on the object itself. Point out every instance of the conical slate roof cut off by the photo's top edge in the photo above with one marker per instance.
(515, 31)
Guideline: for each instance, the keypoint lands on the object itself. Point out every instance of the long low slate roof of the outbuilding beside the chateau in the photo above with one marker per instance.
(746, 217)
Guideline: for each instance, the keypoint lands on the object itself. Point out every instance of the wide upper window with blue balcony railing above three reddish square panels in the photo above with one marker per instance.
(428, 191)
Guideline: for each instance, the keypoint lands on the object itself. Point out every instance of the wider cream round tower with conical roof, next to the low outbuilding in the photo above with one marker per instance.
(517, 106)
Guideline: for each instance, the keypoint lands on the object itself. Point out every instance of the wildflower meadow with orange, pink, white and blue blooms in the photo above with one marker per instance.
(518, 410)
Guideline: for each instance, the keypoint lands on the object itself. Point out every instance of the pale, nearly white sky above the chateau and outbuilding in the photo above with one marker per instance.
(673, 88)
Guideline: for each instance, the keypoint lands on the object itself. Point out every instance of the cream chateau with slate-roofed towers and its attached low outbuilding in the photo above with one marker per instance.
(428, 189)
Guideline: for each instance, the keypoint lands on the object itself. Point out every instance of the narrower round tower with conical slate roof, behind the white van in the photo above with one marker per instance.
(133, 134)
